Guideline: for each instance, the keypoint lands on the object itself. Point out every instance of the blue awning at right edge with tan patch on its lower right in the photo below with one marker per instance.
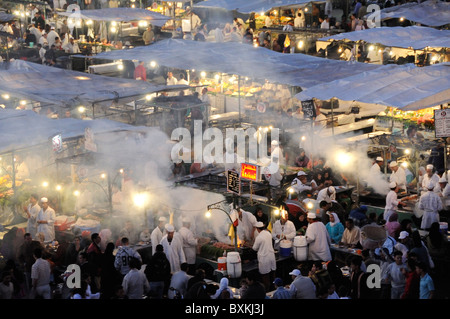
(405, 87)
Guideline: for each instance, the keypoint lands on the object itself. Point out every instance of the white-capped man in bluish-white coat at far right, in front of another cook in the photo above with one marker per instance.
(431, 204)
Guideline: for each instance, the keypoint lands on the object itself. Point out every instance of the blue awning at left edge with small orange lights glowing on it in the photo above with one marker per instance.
(67, 88)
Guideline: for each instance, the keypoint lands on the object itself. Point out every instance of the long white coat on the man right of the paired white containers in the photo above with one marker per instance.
(265, 252)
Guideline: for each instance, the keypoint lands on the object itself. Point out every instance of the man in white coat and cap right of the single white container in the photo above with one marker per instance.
(318, 239)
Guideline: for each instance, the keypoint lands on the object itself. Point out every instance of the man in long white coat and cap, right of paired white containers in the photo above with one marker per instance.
(265, 253)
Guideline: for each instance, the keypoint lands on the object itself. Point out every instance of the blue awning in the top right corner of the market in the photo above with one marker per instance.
(433, 13)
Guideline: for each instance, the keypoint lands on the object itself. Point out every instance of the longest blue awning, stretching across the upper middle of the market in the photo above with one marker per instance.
(242, 59)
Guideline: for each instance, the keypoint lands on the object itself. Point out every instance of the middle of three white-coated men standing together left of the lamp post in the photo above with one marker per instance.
(173, 247)
